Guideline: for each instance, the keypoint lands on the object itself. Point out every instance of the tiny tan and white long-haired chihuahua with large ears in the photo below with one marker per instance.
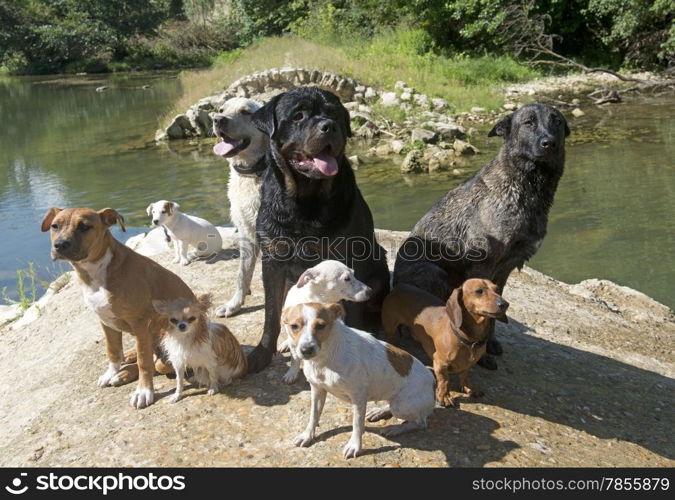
(192, 341)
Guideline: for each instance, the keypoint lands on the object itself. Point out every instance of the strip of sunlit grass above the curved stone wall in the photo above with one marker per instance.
(381, 61)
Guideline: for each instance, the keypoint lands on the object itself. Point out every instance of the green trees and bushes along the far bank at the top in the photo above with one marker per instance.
(40, 36)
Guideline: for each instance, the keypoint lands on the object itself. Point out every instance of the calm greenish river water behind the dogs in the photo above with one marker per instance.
(64, 144)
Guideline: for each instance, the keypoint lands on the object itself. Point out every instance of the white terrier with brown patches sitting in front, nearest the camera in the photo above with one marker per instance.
(356, 367)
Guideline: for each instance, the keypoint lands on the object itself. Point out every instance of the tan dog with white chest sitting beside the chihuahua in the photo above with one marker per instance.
(119, 285)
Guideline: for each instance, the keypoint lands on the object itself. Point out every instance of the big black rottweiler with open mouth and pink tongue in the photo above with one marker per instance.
(311, 209)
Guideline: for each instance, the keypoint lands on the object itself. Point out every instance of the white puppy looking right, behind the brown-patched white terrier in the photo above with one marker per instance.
(328, 281)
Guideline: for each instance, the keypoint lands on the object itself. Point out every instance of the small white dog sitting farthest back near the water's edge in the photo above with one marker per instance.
(186, 230)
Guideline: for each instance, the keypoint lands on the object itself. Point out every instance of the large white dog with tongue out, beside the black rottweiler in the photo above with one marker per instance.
(240, 141)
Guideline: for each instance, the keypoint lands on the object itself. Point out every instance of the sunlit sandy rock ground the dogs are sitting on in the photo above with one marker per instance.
(586, 379)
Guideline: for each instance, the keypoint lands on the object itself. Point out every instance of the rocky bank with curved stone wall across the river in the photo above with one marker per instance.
(422, 130)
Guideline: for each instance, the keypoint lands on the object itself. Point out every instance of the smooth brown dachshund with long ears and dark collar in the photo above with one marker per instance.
(452, 334)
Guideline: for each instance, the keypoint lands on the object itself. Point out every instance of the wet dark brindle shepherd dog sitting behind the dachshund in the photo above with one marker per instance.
(496, 220)
